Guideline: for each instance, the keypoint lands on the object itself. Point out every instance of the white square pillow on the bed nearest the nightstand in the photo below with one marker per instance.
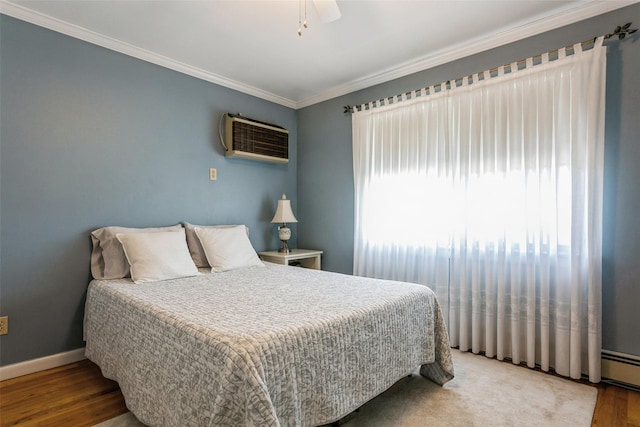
(228, 248)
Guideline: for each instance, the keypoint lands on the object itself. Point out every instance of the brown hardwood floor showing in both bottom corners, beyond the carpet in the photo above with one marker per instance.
(78, 395)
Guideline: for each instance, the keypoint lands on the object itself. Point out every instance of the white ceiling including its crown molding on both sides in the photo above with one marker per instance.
(253, 46)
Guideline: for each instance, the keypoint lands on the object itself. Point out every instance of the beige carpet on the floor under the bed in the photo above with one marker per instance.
(485, 392)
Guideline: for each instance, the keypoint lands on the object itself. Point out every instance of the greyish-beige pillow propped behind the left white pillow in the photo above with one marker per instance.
(107, 258)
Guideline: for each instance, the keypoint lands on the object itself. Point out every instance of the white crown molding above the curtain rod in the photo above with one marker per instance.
(577, 13)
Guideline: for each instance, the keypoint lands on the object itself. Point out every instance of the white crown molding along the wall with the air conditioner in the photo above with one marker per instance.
(19, 12)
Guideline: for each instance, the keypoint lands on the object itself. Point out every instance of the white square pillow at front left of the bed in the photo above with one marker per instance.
(157, 256)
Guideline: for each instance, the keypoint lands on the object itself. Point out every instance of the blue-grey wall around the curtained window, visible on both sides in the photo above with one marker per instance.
(325, 178)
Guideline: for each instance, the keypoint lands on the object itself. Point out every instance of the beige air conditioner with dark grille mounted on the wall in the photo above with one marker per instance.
(255, 140)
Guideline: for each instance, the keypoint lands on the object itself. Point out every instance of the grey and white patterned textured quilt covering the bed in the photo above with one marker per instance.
(263, 346)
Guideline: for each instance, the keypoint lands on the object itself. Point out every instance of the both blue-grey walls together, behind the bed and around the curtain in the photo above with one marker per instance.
(90, 137)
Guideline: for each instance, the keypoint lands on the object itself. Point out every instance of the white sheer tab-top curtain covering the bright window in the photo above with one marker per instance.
(491, 194)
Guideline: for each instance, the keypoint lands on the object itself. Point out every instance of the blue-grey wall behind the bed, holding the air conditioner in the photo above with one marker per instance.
(90, 138)
